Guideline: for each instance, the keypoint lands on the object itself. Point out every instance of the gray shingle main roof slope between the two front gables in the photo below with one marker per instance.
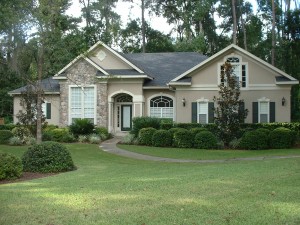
(164, 67)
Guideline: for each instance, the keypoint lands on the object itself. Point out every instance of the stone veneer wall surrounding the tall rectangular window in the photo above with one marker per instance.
(81, 74)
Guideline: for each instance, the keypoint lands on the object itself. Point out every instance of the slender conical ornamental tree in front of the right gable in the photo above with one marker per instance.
(230, 112)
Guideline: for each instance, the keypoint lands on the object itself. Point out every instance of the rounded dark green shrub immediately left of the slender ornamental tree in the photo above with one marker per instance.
(205, 140)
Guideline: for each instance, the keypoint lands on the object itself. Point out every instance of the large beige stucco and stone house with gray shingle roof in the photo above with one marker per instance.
(110, 88)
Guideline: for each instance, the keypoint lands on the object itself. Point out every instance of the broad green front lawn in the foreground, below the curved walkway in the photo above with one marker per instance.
(108, 189)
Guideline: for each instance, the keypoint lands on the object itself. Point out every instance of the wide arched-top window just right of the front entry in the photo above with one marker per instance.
(162, 107)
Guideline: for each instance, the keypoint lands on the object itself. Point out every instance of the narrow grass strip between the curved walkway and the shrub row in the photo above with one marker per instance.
(201, 154)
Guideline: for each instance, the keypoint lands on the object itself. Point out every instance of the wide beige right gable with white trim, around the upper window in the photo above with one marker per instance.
(260, 72)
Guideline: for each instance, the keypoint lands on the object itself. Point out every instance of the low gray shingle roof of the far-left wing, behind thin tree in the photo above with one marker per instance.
(49, 85)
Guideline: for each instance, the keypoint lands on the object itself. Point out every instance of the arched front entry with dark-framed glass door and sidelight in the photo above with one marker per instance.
(123, 112)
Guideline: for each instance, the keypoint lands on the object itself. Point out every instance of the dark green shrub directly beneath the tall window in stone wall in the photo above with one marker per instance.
(82, 127)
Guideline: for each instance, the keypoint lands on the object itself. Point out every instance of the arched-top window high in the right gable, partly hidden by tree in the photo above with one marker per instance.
(239, 70)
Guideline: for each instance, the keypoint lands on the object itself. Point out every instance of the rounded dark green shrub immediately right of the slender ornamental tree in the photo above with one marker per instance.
(254, 140)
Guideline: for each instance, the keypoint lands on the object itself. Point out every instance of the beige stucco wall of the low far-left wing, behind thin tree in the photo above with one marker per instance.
(55, 105)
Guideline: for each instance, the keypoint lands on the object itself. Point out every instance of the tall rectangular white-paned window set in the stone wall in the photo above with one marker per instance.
(82, 103)
